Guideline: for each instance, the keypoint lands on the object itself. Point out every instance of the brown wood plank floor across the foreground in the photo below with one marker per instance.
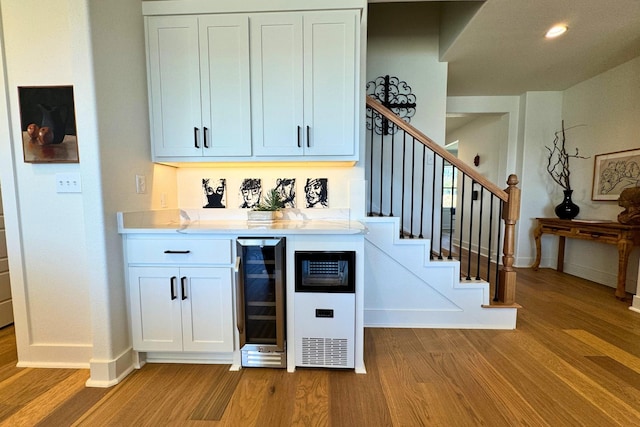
(574, 360)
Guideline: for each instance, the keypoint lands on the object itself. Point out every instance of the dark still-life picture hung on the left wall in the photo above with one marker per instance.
(48, 123)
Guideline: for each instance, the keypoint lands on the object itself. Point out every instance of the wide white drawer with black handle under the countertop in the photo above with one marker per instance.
(179, 251)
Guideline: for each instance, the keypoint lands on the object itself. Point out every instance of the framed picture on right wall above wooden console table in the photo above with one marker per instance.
(613, 172)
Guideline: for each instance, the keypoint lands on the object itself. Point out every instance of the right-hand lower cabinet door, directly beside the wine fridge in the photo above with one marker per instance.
(207, 317)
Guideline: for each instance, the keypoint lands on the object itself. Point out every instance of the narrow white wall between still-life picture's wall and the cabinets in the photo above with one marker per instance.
(121, 150)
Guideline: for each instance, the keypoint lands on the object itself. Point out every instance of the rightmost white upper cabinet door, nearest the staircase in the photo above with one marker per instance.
(330, 82)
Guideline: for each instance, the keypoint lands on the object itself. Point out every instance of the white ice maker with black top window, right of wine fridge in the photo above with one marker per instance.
(325, 309)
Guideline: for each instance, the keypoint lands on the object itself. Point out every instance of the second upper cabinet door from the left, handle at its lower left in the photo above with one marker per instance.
(224, 65)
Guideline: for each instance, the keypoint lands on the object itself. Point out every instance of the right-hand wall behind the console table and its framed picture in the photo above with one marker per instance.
(609, 106)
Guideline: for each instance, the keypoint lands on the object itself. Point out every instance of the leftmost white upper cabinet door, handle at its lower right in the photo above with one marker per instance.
(174, 84)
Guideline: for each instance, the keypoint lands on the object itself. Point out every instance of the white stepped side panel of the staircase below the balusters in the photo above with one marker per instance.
(405, 289)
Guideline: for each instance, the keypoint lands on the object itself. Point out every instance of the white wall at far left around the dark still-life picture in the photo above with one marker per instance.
(49, 265)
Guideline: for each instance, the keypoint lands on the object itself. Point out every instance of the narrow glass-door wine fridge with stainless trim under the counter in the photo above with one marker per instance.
(260, 282)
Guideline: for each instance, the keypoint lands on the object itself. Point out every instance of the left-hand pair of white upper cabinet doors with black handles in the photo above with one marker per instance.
(199, 86)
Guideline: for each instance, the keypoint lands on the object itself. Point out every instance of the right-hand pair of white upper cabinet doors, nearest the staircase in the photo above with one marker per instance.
(304, 83)
